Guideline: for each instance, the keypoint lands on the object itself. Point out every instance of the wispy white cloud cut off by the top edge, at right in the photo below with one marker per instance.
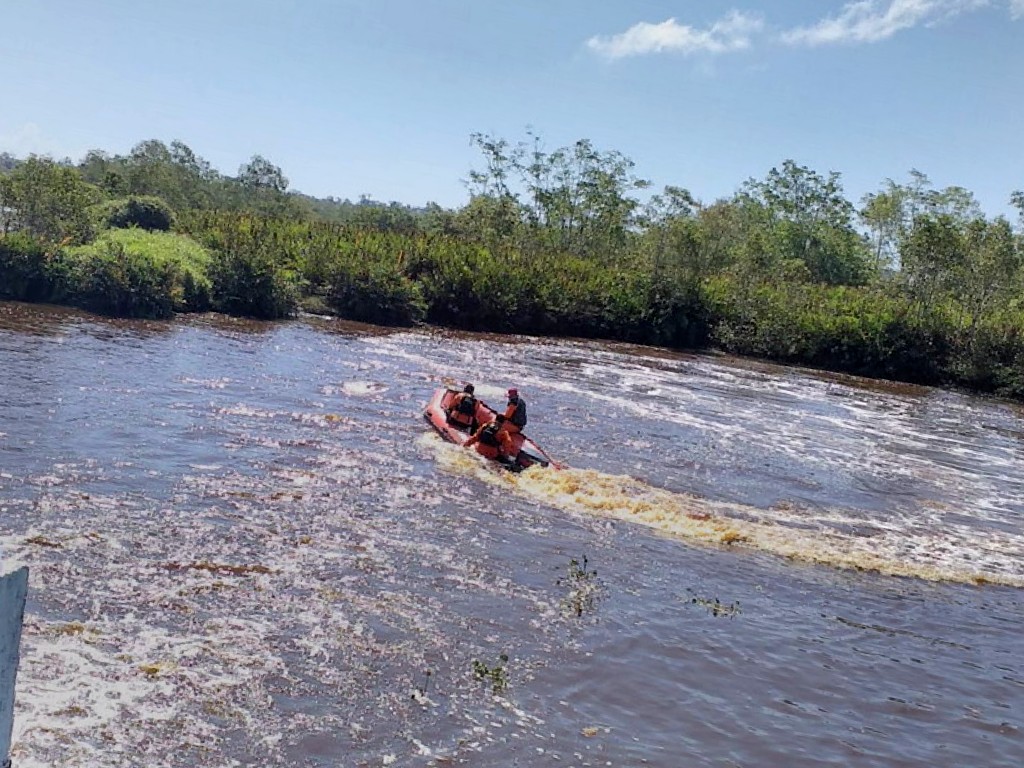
(872, 21)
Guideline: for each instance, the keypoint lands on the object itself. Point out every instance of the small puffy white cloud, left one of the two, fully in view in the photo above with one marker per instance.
(732, 33)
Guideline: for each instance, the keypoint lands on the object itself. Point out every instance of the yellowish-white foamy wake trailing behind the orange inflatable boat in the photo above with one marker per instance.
(831, 538)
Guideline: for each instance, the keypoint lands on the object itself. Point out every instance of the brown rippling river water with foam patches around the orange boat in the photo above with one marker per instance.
(247, 548)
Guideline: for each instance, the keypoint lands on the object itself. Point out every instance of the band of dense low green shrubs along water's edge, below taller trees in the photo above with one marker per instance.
(409, 283)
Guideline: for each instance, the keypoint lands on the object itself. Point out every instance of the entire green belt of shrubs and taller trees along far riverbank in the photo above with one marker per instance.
(914, 283)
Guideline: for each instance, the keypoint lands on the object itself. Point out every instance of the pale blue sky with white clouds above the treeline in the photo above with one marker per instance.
(380, 98)
